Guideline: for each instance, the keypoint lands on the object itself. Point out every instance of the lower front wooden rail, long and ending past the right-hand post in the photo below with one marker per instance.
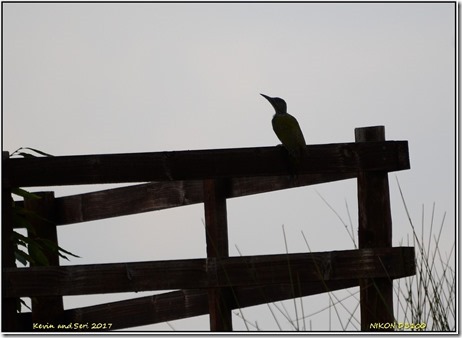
(193, 274)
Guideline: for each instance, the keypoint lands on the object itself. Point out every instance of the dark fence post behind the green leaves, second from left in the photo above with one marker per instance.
(47, 309)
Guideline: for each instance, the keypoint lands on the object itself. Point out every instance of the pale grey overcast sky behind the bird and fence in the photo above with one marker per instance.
(117, 78)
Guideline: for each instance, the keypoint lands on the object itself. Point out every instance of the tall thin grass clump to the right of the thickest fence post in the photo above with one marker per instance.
(429, 296)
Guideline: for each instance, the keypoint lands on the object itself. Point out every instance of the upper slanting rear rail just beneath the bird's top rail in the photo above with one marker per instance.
(163, 195)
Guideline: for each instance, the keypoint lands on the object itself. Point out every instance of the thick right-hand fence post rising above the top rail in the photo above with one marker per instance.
(375, 229)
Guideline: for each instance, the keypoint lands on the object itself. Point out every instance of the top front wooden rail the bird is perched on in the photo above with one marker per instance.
(203, 164)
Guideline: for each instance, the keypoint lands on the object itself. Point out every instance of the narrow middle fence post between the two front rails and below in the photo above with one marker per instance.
(216, 226)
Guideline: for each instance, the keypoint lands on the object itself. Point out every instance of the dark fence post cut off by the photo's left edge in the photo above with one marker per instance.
(9, 313)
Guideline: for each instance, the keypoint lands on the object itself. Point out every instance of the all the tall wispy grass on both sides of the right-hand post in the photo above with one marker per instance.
(423, 302)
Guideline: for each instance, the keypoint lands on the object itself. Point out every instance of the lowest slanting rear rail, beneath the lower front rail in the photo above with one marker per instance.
(183, 304)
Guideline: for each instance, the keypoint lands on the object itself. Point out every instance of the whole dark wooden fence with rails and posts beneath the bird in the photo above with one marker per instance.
(216, 284)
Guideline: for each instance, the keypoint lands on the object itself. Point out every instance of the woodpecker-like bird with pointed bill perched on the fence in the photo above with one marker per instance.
(287, 130)
